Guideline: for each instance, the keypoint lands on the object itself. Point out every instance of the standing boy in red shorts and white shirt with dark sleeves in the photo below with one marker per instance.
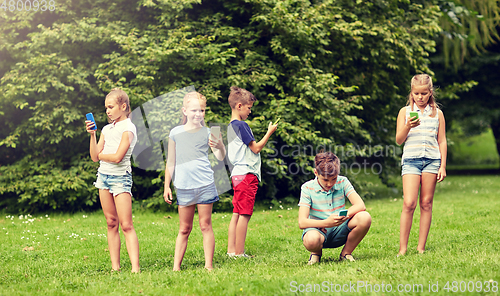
(244, 155)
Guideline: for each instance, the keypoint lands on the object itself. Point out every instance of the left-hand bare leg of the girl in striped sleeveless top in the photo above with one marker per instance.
(411, 184)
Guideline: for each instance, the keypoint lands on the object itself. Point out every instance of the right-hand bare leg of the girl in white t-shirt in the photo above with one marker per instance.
(123, 204)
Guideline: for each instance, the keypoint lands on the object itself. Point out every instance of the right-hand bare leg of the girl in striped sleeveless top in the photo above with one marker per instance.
(426, 198)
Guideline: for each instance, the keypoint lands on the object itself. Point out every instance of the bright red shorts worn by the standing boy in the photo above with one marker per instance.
(245, 189)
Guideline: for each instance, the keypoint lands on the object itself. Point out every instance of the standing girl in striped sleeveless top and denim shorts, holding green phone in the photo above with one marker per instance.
(424, 157)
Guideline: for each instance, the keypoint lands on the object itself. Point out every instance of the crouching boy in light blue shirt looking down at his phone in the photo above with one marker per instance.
(321, 200)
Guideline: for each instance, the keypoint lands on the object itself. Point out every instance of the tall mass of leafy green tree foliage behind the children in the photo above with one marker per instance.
(336, 72)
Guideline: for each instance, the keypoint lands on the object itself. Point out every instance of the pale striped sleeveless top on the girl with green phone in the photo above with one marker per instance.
(422, 140)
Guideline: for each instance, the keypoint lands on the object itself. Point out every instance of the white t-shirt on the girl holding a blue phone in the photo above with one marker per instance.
(113, 133)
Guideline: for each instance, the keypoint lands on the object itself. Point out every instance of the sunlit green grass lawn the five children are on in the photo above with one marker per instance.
(69, 252)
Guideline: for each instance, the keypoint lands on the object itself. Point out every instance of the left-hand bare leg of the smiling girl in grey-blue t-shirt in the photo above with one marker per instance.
(186, 215)
